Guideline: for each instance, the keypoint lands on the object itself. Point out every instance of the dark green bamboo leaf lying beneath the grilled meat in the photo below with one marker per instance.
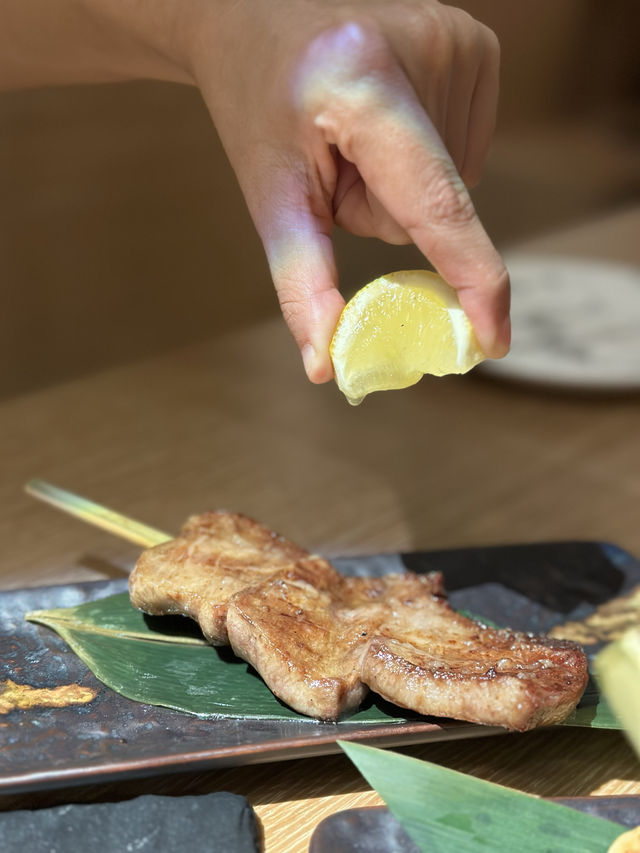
(165, 661)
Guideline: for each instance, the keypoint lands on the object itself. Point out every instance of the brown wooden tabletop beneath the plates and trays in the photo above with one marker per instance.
(451, 462)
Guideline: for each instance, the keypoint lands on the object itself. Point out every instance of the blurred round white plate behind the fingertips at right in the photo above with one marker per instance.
(576, 323)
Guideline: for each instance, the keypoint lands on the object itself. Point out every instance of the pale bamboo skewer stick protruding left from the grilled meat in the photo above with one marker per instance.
(99, 516)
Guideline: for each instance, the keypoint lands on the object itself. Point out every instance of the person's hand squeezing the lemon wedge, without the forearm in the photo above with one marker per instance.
(370, 115)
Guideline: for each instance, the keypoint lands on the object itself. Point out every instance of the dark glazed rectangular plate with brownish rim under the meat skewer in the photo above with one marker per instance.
(528, 587)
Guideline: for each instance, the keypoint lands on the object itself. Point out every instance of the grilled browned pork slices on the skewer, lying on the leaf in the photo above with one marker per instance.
(321, 640)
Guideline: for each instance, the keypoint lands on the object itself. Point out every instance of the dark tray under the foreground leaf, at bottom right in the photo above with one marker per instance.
(375, 829)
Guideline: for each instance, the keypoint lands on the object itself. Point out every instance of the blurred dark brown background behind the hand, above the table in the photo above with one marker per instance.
(123, 232)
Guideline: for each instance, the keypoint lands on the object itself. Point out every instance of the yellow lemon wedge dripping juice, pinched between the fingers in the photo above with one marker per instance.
(396, 329)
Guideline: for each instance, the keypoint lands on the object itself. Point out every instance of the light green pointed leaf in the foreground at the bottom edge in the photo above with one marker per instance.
(444, 810)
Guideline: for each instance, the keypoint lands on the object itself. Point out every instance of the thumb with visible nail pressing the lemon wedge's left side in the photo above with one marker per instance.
(302, 263)
